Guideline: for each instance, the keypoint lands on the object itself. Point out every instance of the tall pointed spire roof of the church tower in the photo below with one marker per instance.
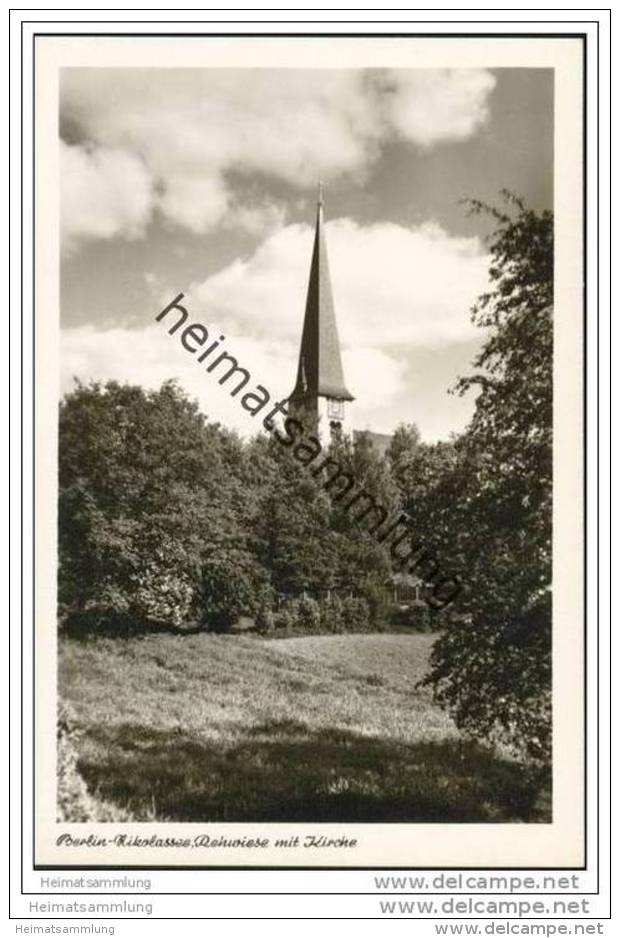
(319, 372)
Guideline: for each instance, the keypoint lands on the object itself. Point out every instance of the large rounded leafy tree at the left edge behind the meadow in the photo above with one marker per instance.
(151, 524)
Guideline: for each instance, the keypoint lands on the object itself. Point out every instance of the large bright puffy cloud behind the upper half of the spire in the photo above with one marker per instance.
(394, 287)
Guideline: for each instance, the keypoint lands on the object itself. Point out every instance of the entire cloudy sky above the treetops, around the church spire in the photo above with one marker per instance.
(204, 182)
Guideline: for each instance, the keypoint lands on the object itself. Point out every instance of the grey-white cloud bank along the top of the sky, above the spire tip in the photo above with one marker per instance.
(193, 128)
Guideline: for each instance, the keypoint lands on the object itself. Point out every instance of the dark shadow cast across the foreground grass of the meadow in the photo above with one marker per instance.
(283, 771)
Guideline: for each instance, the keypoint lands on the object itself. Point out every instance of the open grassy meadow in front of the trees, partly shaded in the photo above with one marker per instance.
(235, 728)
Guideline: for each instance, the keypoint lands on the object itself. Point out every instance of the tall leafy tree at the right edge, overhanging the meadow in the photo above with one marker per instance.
(492, 666)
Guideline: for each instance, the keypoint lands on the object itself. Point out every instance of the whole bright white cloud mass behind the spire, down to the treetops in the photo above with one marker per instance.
(396, 290)
